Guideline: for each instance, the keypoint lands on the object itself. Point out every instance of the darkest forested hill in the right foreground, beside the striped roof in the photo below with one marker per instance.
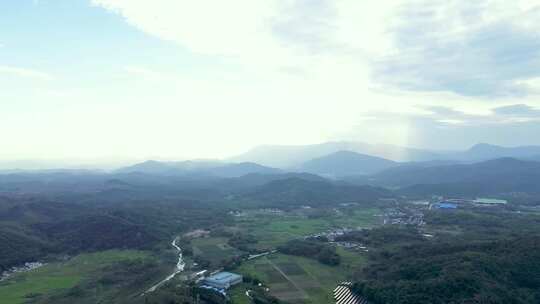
(461, 272)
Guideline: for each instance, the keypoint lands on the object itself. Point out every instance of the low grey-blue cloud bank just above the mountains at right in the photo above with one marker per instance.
(439, 127)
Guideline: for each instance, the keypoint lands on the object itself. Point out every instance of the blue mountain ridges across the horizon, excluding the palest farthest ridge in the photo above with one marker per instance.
(212, 179)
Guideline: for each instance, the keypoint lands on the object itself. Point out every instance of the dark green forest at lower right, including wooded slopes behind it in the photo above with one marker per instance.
(494, 259)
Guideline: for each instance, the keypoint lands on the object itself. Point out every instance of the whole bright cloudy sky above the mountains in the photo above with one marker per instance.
(106, 80)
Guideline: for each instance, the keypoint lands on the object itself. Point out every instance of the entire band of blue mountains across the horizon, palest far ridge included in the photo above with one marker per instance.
(483, 168)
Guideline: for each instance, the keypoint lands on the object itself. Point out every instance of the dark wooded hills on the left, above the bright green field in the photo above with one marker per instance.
(35, 226)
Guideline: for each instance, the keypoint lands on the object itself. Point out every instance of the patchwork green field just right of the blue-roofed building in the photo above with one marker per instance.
(298, 279)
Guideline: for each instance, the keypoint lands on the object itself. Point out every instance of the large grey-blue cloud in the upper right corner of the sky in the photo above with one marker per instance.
(483, 48)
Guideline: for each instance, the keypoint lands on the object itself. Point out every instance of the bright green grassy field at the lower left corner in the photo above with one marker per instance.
(59, 276)
